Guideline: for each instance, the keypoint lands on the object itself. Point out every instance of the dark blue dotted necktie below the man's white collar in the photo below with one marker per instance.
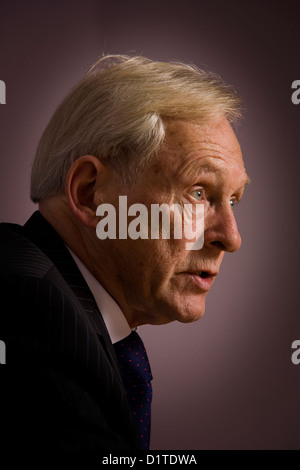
(136, 375)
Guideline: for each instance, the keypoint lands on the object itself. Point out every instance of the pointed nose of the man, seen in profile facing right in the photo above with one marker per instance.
(221, 229)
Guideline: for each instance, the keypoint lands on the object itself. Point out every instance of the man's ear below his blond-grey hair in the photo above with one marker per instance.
(83, 179)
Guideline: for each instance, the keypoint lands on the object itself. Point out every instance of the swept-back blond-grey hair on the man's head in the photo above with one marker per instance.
(117, 112)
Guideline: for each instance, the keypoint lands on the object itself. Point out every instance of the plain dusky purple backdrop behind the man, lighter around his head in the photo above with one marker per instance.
(227, 381)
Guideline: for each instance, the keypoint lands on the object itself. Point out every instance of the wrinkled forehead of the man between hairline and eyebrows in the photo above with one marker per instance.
(211, 147)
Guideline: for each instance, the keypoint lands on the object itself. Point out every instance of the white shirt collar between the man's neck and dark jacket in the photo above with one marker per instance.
(114, 318)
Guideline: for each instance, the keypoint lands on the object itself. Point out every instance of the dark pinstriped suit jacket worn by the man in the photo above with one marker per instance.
(61, 387)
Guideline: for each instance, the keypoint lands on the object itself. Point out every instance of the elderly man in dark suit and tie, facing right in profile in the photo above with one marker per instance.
(157, 133)
